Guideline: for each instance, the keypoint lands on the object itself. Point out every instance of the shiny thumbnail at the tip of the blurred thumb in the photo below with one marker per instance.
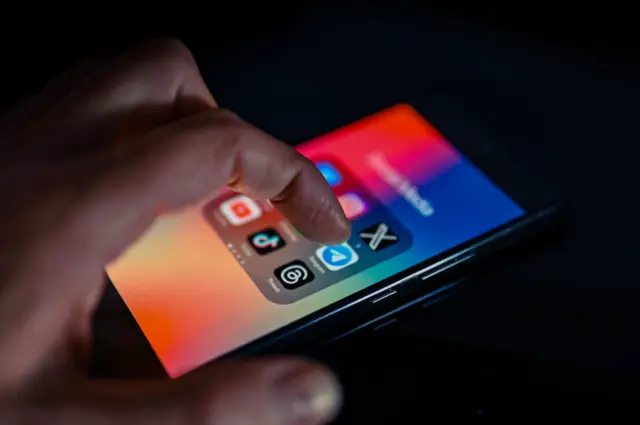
(309, 395)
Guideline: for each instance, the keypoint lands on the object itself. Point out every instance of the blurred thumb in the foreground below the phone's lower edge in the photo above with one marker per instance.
(257, 392)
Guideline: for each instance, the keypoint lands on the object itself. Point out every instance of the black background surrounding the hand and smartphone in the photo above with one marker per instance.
(555, 83)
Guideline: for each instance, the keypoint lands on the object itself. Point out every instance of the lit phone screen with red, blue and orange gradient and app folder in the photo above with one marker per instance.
(230, 270)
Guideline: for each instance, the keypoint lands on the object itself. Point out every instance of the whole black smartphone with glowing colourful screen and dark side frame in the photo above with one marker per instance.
(231, 276)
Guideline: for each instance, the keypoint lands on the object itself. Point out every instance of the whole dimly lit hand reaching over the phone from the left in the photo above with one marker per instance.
(85, 167)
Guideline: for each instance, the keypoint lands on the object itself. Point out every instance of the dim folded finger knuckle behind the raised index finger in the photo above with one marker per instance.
(147, 86)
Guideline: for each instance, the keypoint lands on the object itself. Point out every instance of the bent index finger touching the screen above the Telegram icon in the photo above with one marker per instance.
(186, 162)
